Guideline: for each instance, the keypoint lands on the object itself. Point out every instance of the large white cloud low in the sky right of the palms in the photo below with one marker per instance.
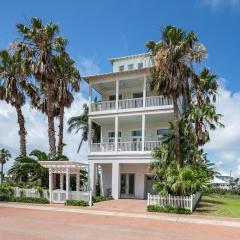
(224, 147)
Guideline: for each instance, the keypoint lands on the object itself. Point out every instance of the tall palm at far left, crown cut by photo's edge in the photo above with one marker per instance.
(13, 86)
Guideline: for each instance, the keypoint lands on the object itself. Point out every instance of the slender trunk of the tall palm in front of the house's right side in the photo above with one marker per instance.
(176, 129)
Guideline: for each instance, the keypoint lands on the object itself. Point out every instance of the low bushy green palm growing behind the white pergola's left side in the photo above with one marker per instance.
(28, 168)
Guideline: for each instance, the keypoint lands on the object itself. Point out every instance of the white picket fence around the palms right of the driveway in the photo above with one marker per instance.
(187, 202)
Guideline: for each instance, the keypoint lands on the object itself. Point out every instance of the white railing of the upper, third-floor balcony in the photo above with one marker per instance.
(154, 101)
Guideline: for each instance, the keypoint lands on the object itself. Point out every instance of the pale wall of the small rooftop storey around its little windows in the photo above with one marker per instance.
(139, 59)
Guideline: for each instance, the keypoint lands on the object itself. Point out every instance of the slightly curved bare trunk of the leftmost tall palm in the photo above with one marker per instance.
(22, 131)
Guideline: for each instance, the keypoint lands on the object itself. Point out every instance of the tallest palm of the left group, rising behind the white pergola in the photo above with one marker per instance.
(42, 43)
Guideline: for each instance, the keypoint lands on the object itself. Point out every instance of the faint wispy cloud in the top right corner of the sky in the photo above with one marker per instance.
(216, 4)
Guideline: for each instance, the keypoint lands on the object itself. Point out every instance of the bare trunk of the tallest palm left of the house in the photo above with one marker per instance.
(50, 114)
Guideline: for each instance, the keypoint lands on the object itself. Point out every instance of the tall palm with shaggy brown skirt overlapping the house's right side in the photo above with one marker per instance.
(173, 57)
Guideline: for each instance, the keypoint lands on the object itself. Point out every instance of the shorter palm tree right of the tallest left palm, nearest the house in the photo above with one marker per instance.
(67, 82)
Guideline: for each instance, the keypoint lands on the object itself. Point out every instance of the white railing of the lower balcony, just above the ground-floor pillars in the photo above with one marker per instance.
(124, 146)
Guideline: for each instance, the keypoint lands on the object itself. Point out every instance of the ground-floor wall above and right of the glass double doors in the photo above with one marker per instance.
(140, 170)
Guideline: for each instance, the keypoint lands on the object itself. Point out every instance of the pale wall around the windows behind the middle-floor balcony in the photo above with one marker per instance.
(125, 129)
